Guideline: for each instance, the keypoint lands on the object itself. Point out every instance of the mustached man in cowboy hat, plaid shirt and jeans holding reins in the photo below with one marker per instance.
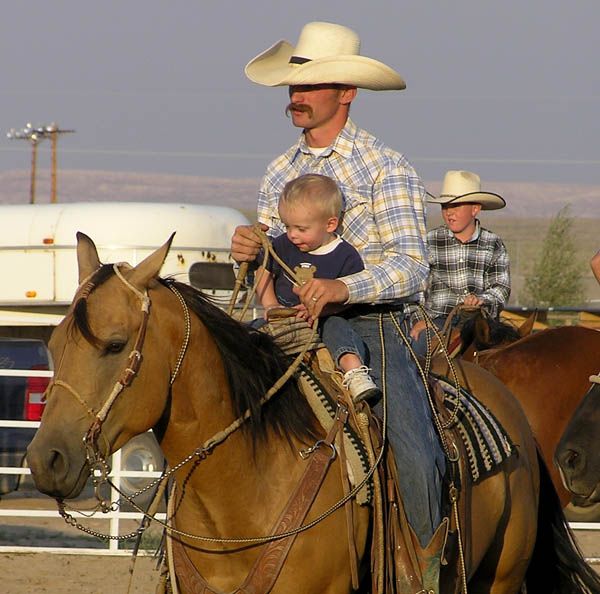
(383, 218)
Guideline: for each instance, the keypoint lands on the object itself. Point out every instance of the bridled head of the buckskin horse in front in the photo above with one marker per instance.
(97, 352)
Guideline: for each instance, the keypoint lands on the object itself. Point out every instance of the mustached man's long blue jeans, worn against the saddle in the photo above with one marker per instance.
(417, 450)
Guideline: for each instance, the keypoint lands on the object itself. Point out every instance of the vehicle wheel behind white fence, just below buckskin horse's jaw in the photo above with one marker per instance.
(142, 453)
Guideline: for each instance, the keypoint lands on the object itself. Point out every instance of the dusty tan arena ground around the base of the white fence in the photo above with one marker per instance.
(52, 573)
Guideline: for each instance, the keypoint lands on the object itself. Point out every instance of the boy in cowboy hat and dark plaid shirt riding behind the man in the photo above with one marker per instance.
(468, 264)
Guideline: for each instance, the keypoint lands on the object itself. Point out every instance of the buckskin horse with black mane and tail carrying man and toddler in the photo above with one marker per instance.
(136, 351)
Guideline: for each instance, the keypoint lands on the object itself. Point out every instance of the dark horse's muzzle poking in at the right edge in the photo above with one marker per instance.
(577, 452)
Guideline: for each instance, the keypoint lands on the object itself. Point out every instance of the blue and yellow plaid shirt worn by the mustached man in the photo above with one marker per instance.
(384, 214)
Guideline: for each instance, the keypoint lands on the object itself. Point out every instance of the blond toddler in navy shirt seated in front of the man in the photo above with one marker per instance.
(310, 208)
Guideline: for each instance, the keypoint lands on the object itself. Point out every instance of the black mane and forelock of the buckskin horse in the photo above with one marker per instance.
(253, 363)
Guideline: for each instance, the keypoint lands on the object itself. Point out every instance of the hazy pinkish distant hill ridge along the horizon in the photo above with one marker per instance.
(523, 199)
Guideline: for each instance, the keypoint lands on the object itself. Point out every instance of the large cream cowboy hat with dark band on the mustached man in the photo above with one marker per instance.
(325, 53)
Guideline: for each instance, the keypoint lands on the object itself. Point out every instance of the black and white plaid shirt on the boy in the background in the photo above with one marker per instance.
(480, 266)
